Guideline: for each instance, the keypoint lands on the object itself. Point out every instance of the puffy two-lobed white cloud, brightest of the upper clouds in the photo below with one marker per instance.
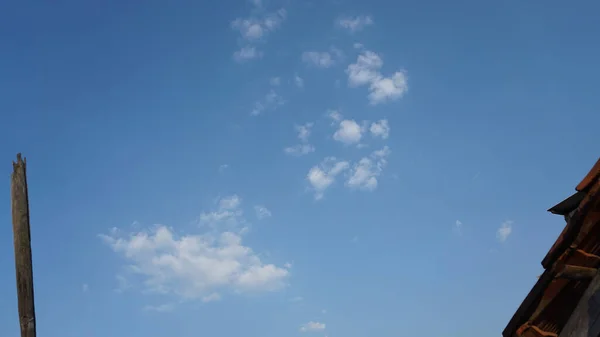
(366, 70)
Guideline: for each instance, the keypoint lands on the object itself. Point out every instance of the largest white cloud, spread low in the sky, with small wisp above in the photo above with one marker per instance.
(194, 266)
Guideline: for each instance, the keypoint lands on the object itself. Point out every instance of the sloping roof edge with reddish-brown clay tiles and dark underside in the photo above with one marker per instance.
(549, 304)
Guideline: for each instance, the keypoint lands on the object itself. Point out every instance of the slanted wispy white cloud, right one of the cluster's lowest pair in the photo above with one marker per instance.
(363, 174)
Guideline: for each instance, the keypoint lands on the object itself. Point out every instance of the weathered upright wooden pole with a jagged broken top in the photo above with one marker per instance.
(22, 241)
